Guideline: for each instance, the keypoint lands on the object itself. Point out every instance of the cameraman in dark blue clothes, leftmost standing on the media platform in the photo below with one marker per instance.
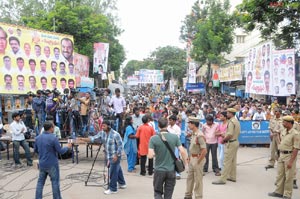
(38, 105)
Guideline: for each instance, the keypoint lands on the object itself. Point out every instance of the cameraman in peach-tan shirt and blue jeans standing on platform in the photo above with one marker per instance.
(84, 111)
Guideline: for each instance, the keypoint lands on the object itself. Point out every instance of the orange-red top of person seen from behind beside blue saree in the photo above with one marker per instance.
(144, 132)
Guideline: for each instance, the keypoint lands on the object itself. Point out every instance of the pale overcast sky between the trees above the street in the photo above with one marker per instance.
(149, 24)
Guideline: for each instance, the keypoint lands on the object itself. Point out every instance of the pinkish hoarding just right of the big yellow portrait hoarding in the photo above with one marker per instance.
(82, 67)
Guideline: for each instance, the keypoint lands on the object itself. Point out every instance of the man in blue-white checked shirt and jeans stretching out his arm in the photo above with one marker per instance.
(112, 142)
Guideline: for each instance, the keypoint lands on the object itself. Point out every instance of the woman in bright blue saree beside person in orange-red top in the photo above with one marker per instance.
(129, 144)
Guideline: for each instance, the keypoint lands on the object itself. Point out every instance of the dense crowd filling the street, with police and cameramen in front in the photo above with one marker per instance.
(195, 126)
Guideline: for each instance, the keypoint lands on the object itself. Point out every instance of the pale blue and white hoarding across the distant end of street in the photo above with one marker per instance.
(147, 76)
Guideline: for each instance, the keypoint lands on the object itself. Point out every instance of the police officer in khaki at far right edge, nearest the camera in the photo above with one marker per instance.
(288, 147)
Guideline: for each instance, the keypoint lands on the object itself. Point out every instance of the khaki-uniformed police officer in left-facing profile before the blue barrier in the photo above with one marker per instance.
(231, 147)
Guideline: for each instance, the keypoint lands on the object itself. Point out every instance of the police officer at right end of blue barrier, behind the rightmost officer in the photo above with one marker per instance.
(275, 128)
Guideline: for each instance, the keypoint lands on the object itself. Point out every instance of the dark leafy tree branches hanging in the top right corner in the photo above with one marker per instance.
(276, 20)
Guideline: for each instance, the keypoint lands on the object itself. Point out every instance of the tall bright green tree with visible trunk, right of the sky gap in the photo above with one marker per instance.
(214, 35)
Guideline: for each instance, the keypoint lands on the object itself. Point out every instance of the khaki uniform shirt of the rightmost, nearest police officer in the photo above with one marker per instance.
(289, 140)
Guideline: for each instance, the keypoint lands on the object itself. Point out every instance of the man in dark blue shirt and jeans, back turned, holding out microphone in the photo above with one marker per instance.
(47, 147)
